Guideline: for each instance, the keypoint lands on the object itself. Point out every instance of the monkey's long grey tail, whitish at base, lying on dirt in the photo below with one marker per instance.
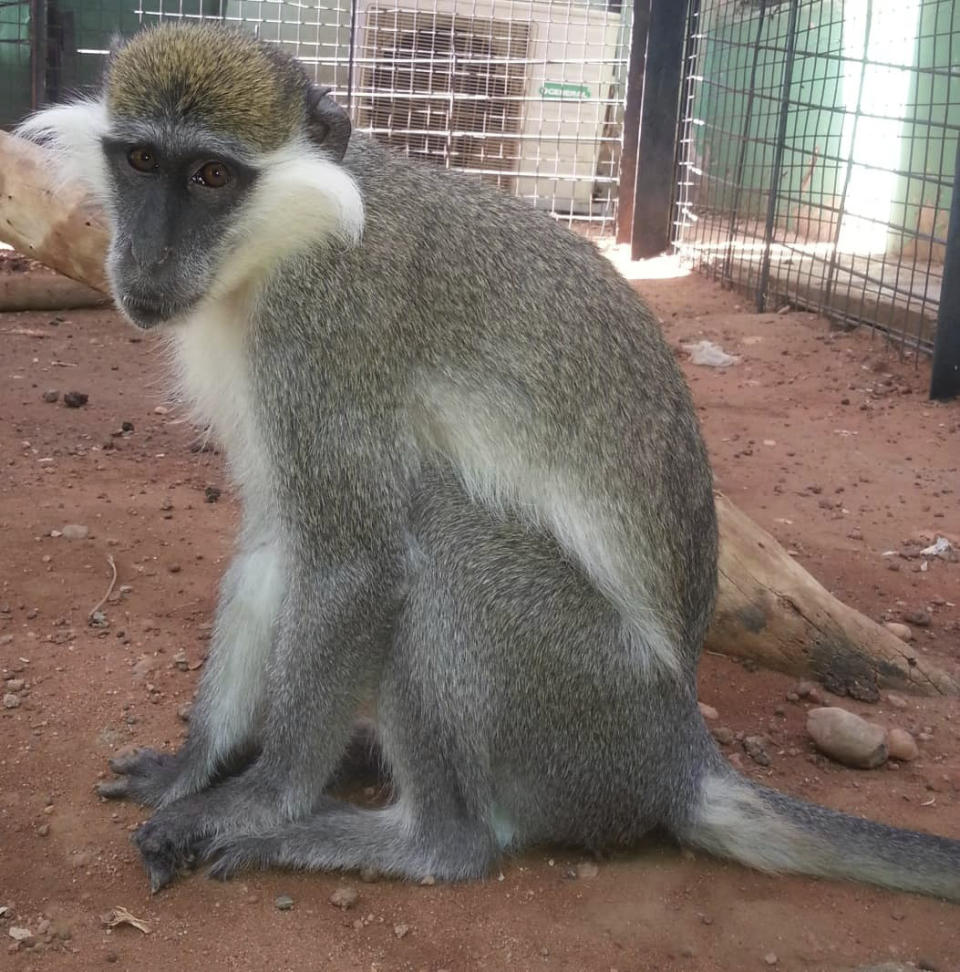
(767, 830)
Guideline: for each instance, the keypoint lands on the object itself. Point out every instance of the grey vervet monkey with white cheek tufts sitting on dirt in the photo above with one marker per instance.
(474, 493)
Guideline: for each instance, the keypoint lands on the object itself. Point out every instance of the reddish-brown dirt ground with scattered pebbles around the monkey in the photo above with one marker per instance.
(825, 438)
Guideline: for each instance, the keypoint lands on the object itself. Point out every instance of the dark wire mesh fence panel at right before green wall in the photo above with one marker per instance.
(818, 145)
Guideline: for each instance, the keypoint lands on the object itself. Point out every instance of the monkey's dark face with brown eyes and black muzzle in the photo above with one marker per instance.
(174, 197)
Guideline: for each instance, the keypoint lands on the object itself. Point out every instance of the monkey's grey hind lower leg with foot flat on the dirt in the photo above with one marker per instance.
(435, 745)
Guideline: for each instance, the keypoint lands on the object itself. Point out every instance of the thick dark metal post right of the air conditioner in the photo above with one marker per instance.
(657, 149)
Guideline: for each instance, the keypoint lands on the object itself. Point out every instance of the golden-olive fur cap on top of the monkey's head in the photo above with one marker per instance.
(223, 79)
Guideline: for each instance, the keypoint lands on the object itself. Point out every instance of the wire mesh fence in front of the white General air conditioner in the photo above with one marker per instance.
(528, 95)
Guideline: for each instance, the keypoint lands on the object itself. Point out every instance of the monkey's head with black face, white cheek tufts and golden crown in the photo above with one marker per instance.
(215, 156)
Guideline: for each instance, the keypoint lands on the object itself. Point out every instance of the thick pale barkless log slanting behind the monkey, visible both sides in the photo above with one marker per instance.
(769, 610)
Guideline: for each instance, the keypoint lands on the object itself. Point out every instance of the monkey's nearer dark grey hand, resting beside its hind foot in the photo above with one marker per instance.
(180, 833)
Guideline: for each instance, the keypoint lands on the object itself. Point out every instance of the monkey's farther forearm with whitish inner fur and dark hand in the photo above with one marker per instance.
(223, 724)
